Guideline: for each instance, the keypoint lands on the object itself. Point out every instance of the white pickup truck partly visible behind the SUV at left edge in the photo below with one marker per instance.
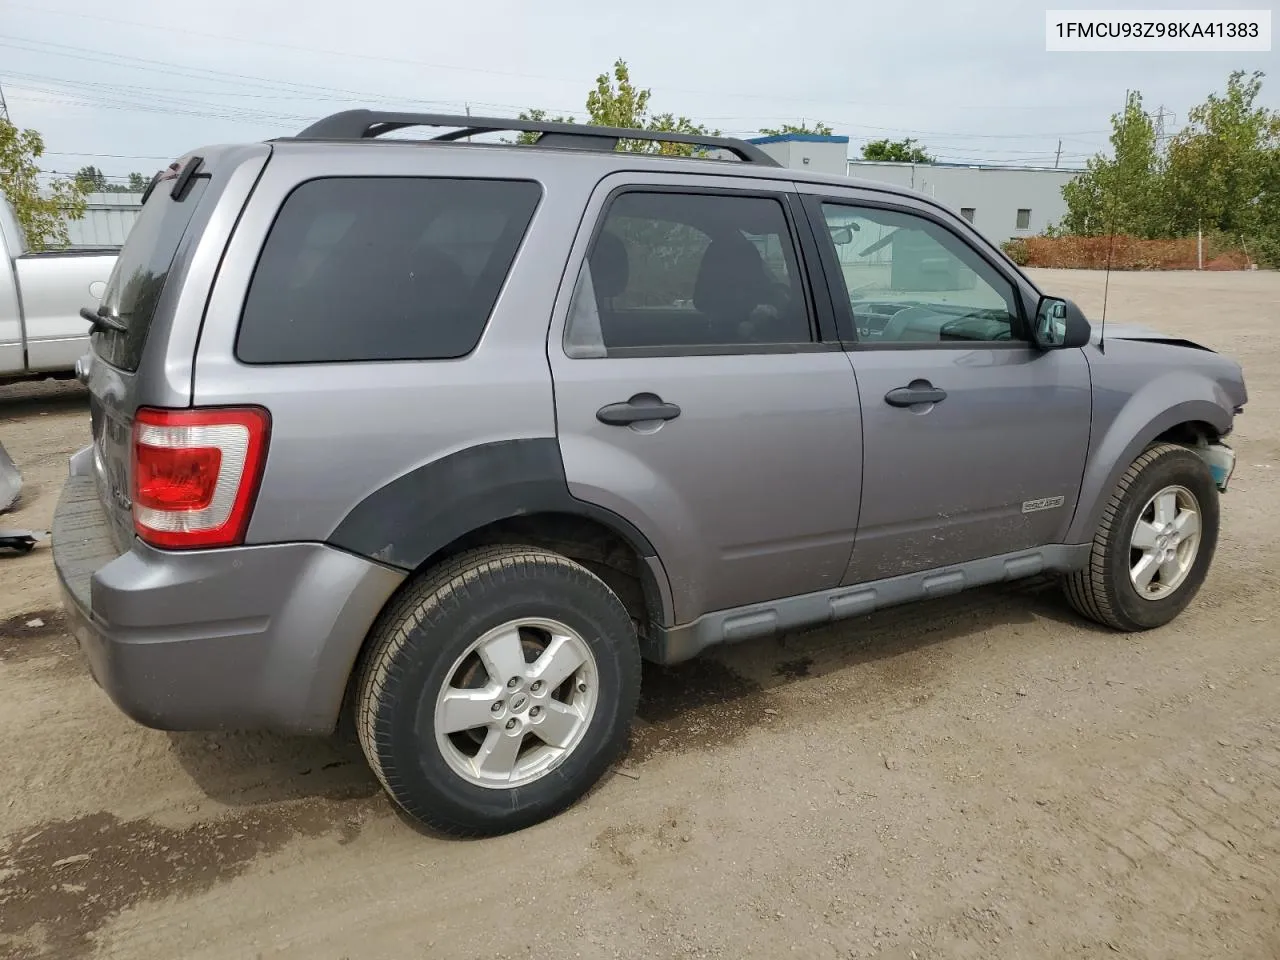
(42, 295)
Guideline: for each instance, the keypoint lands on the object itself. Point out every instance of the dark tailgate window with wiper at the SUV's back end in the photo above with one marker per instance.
(140, 273)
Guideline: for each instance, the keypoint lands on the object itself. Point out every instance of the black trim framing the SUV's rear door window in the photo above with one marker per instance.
(825, 337)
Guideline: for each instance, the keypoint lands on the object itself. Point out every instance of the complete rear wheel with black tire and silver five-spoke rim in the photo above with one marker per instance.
(499, 691)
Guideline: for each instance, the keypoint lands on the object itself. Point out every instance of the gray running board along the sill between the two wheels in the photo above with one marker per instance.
(774, 618)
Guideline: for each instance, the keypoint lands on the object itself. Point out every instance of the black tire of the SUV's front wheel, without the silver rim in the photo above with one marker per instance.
(1104, 591)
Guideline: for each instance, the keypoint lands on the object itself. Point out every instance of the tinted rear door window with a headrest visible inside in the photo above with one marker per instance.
(671, 272)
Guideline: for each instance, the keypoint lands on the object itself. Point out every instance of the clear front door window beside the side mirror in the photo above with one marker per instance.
(911, 281)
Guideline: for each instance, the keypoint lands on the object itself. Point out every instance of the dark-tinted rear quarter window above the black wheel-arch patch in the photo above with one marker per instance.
(383, 269)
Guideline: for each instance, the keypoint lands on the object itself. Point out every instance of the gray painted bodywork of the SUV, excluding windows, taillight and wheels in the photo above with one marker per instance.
(756, 499)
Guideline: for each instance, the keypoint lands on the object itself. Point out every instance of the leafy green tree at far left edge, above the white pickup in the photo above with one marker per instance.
(42, 213)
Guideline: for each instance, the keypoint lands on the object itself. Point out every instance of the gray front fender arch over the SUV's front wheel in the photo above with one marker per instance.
(1127, 432)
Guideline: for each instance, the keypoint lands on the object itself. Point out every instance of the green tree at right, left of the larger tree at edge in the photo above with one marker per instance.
(1123, 193)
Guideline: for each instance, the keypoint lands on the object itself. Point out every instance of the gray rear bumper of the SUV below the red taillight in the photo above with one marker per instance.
(244, 638)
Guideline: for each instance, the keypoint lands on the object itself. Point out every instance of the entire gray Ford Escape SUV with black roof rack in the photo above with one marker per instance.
(452, 435)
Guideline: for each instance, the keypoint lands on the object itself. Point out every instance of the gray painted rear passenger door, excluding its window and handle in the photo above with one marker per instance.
(691, 483)
